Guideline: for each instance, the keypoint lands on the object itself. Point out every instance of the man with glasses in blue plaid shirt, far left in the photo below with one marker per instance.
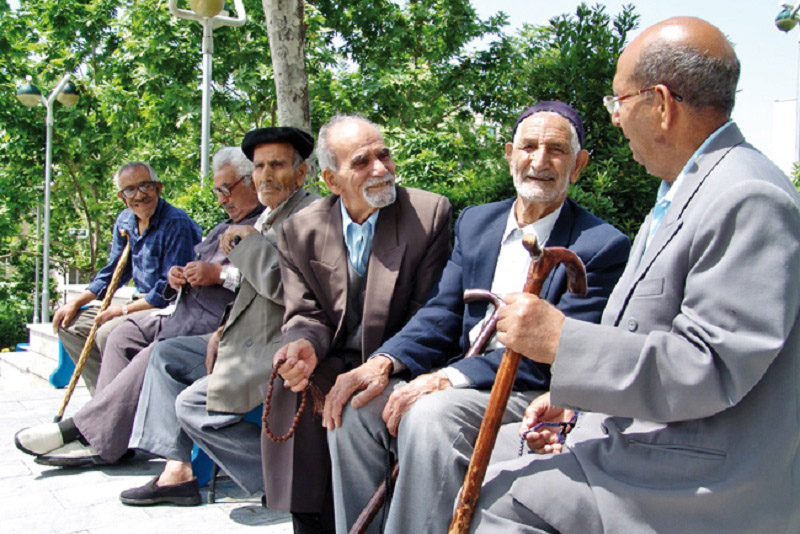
(161, 236)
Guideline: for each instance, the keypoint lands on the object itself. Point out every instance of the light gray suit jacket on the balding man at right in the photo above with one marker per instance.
(697, 358)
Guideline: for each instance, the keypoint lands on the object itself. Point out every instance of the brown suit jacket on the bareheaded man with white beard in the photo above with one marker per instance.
(410, 248)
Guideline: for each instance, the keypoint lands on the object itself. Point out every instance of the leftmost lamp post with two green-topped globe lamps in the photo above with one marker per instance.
(29, 95)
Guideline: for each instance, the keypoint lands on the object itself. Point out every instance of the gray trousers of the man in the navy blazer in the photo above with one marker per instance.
(434, 445)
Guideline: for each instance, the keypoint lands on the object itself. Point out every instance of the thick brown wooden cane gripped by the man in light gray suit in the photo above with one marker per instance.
(542, 262)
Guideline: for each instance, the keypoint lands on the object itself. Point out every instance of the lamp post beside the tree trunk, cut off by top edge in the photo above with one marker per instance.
(206, 12)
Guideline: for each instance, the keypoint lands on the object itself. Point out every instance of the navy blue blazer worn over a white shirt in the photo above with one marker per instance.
(438, 334)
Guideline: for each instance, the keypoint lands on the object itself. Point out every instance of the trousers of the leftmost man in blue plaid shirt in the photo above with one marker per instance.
(73, 337)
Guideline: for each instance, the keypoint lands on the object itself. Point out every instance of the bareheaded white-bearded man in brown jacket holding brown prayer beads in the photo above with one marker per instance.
(356, 266)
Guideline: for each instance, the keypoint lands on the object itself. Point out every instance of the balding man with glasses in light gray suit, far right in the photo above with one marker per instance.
(687, 390)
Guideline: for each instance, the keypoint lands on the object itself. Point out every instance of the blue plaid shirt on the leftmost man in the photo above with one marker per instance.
(168, 241)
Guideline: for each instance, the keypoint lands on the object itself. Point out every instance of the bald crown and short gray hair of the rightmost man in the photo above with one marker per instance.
(691, 57)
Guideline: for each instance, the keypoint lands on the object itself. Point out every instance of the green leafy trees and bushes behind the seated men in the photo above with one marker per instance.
(411, 66)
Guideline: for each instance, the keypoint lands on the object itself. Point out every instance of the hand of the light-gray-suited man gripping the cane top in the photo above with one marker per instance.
(530, 326)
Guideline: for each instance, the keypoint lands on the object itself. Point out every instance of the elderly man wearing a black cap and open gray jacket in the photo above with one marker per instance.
(179, 404)
